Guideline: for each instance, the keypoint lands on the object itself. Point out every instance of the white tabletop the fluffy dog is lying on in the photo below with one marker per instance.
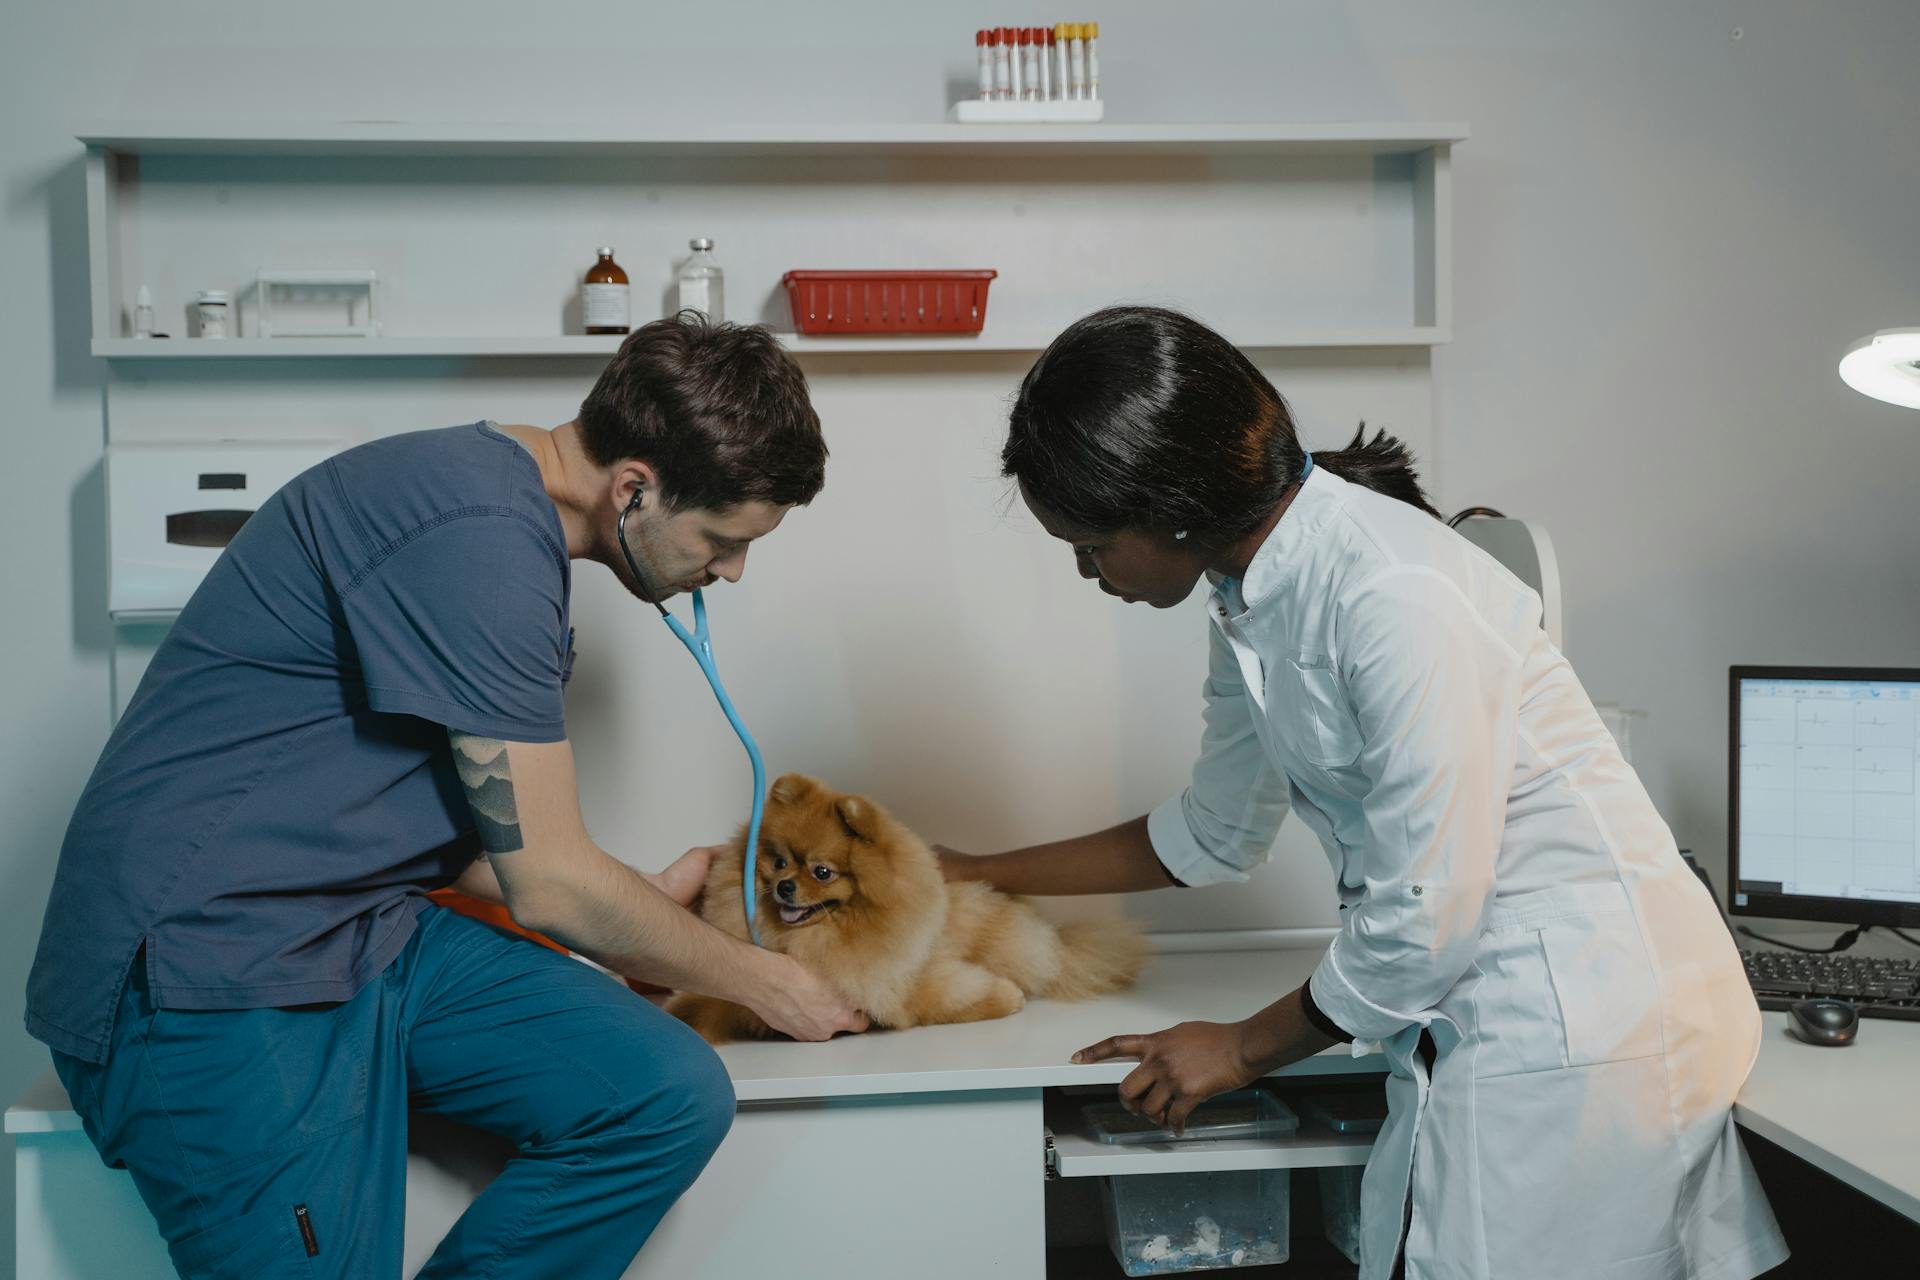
(1028, 1051)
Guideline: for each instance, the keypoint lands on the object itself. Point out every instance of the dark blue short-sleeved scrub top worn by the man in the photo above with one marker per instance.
(281, 792)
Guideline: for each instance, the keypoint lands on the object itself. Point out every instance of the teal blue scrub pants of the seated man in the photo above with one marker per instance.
(274, 1143)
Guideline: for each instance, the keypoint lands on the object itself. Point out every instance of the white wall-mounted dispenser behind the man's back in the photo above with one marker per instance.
(172, 510)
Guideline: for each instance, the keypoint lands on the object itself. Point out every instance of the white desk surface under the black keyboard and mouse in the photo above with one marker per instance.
(1850, 1112)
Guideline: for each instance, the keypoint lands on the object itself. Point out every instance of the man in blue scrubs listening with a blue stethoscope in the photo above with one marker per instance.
(241, 978)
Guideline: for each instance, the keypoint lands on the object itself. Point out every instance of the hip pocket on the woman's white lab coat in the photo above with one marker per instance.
(1604, 978)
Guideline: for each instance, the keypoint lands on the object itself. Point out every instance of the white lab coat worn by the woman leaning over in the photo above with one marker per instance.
(1504, 884)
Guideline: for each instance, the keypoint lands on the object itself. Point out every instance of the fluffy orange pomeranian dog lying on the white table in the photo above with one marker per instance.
(861, 901)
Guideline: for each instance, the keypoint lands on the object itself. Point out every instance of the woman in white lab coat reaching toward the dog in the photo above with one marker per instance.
(1564, 1016)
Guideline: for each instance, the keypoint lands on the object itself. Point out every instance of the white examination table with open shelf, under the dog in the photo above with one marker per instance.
(930, 1145)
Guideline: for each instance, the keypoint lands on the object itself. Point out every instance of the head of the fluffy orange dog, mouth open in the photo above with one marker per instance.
(815, 849)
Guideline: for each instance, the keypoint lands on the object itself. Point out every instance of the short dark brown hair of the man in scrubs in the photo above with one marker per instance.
(719, 412)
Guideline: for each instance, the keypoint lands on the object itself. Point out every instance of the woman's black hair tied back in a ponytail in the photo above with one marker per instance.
(1140, 417)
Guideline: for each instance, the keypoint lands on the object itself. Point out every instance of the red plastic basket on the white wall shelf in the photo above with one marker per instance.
(888, 302)
